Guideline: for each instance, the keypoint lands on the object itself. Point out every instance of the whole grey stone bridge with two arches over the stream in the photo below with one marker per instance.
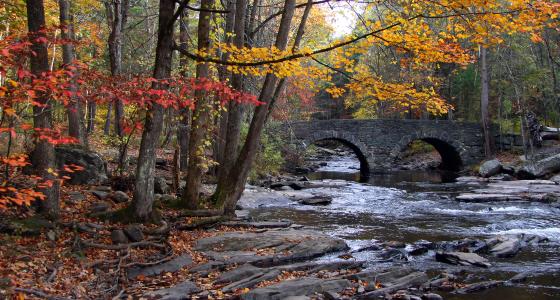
(379, 143)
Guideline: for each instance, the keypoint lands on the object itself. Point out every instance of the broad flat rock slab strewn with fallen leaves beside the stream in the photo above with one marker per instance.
(286, 246)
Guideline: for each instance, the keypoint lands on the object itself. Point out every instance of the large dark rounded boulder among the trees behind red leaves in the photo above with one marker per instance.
(94, 167)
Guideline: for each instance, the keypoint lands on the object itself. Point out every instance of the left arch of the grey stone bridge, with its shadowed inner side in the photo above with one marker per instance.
(348, 140)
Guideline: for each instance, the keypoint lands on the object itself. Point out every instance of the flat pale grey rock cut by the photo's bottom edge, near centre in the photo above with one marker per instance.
(298, 287)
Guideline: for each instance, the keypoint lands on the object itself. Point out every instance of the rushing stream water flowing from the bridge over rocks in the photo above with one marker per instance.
(413, 206)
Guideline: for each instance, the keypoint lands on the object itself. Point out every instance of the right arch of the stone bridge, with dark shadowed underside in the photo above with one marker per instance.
(453, 153)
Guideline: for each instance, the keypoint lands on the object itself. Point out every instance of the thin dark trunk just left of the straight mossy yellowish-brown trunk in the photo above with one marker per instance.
(185, 113)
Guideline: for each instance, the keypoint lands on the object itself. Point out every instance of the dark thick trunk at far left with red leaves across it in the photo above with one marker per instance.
(43, 156)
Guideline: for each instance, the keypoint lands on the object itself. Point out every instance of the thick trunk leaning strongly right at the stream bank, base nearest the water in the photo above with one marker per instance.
(229, 190)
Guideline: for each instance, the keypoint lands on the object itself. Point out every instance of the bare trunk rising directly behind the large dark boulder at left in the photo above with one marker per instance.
(76, 124)
